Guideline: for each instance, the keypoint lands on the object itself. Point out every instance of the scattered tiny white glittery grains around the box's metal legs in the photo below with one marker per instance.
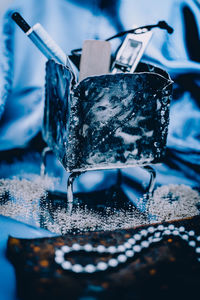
(30, 202)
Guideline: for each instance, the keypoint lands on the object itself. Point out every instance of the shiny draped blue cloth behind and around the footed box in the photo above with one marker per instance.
(70, 22)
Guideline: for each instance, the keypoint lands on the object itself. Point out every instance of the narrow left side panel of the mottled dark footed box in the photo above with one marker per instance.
(57, 107)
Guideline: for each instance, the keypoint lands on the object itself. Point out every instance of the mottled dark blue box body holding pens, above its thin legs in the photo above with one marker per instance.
(108, 121)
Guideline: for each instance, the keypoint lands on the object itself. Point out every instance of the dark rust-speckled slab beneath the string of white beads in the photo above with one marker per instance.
(167, 270)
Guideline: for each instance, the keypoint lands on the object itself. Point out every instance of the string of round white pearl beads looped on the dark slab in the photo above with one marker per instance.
(132, 246)
